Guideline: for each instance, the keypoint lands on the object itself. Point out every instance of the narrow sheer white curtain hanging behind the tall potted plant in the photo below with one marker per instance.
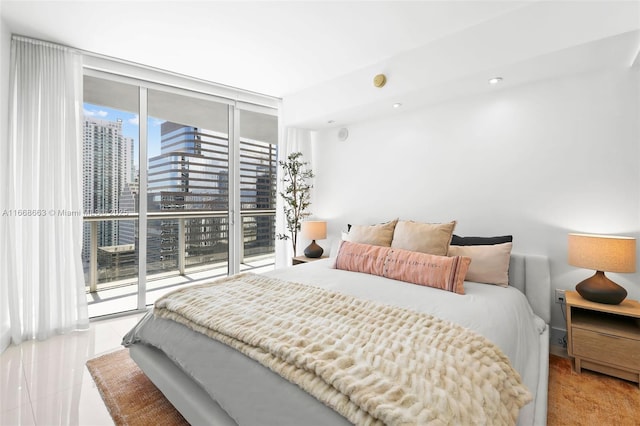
(294, 140)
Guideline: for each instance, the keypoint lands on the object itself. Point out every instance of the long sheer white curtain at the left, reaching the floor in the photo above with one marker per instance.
(41, 219)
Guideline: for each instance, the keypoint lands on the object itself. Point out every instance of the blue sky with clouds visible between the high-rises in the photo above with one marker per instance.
(130, 127)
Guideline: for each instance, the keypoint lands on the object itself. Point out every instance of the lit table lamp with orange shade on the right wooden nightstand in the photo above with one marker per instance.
(602, 253)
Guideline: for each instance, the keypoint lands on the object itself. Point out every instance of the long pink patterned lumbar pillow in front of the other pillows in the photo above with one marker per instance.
(446, 273)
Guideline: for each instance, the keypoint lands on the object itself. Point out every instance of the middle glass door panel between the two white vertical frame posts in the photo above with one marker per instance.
(188, 185)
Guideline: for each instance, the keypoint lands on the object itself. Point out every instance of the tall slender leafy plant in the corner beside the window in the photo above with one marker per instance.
(296, 195)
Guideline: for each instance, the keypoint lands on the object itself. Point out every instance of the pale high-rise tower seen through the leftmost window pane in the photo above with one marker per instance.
(107, 169)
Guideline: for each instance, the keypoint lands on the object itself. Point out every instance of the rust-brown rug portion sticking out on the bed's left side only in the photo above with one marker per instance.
(131, 398)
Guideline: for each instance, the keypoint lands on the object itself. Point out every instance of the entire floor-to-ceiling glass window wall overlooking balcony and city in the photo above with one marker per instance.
(202, 204)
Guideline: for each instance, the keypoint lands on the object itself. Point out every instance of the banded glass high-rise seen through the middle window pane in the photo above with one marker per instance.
(191, 173)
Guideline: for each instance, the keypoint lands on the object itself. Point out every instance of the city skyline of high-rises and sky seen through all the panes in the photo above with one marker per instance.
(187, 169)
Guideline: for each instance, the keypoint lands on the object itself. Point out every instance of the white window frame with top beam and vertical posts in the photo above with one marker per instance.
(147, 78)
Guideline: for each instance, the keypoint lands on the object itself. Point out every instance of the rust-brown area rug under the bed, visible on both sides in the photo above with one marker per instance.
(574, 399)
